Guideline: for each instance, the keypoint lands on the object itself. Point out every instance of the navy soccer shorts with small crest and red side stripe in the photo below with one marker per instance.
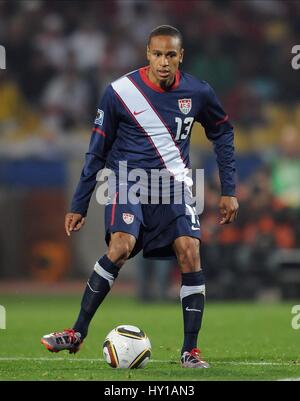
(155, 227)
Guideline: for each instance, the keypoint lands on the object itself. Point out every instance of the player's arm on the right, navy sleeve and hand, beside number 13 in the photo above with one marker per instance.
(219, 130)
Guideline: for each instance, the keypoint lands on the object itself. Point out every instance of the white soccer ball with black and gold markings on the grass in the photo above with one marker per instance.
(127, 347)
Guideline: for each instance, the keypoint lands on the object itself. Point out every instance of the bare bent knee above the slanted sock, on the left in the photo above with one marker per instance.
(120, 248)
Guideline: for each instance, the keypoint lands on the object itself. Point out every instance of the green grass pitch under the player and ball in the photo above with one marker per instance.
(241, 341)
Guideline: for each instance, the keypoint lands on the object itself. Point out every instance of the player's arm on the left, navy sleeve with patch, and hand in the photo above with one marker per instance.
(102, 139)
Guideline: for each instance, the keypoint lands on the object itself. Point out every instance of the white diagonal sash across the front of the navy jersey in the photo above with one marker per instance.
(148, 119)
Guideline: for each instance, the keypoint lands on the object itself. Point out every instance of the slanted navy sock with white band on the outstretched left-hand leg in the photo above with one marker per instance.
(98, 286)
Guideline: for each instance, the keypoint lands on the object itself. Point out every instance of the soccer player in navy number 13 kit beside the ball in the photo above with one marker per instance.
(145, 118)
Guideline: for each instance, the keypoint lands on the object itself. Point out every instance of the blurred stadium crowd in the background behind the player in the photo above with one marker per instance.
(62, 54)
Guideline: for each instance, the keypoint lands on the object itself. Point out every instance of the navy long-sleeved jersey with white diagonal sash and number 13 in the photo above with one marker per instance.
(149, 128)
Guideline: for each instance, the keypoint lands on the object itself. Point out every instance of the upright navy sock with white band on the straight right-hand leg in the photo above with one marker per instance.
(192, 296)
